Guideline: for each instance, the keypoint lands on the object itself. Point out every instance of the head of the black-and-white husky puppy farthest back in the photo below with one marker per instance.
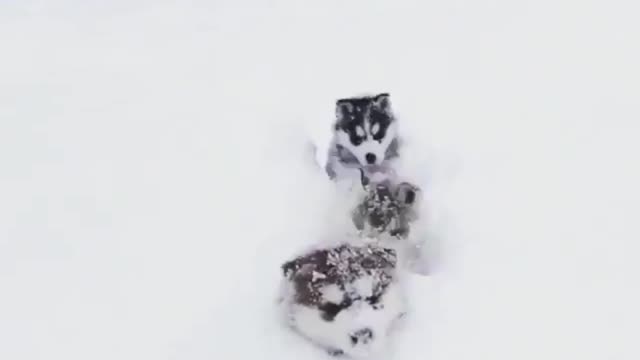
(366, 129)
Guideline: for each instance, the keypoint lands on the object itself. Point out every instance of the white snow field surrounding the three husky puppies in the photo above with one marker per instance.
(154, 172)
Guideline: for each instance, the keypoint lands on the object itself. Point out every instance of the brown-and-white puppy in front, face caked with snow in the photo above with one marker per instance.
(344, 298)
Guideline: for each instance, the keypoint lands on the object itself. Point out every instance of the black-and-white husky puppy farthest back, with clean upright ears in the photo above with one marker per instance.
(364, 136)
